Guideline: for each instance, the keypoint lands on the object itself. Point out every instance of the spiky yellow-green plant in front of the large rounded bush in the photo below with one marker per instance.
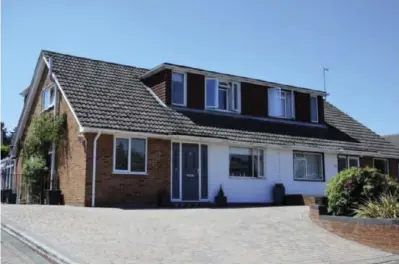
(387, 206)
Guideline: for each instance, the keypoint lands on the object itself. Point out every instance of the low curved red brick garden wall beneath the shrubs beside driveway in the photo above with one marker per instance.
(382, 236)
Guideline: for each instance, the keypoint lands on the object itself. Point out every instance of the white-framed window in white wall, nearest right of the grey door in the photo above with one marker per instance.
(246, 162)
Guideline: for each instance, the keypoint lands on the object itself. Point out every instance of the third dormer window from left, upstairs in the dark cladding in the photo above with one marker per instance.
(281, 103)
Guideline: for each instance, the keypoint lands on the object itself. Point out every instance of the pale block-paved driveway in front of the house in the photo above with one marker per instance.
(251, 235)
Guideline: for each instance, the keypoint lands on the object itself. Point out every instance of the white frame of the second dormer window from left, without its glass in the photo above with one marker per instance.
(230, 95)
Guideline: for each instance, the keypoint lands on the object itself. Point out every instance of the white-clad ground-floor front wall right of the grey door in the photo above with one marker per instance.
(279, 169)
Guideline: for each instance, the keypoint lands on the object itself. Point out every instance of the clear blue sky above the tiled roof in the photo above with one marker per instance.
(283, 41)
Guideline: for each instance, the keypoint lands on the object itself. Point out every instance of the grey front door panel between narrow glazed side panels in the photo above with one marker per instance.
(190, 177)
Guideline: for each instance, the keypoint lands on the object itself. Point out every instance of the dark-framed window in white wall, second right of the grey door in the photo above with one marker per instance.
(308, 166)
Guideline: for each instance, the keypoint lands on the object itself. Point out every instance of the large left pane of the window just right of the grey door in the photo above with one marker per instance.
(241, 162)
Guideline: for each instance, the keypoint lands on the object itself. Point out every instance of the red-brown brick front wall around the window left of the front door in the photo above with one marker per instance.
(113, 189)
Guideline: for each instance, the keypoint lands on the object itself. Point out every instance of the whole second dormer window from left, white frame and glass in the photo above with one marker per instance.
(222, 95)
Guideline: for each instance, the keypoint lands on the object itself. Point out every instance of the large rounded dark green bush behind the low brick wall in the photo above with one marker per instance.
(352, 187)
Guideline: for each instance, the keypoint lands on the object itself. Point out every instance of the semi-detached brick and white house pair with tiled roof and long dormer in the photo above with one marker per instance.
(133, 132)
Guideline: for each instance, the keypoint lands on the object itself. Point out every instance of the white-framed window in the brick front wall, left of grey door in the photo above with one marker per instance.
(130, 155)
